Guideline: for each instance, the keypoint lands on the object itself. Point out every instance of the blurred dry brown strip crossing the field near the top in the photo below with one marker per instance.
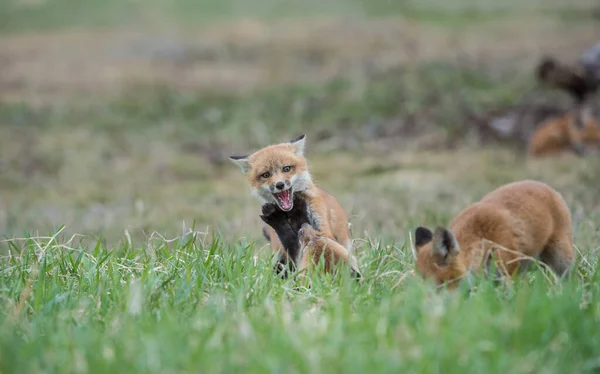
(248, 54)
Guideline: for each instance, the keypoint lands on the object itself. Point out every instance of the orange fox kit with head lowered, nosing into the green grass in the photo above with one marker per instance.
(525, 218)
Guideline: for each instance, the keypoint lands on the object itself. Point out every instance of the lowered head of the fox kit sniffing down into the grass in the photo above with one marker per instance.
(438, 256)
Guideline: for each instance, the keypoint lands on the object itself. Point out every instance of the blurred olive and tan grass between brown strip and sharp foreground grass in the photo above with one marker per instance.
(149, 159)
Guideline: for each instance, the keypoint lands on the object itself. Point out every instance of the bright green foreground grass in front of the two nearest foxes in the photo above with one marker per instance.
(199, 304)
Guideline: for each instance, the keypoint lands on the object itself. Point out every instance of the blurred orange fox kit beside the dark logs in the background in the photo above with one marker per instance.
(577, 131)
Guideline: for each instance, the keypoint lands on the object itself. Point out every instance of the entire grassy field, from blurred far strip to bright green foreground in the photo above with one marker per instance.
(131, 244)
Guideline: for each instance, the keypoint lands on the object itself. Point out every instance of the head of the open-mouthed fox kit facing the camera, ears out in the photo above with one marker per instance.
(276, 172)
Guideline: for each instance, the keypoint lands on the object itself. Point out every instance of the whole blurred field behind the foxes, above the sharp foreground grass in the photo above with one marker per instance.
(119, 116)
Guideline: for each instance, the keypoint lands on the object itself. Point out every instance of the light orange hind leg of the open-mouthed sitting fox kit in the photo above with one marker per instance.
(314, 246)
